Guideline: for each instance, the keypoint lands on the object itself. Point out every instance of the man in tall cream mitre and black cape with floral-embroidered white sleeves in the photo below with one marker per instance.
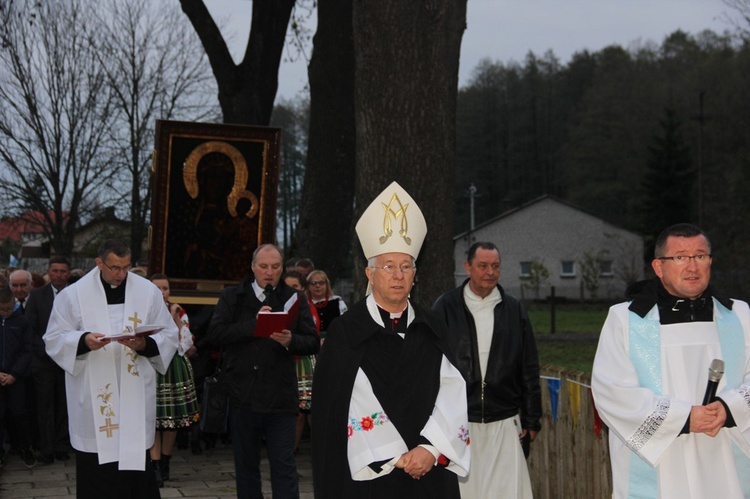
(390, 408)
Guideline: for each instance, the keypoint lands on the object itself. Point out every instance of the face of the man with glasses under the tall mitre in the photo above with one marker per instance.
(391, 290)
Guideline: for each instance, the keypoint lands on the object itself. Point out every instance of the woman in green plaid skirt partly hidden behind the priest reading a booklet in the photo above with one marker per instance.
(176, 399)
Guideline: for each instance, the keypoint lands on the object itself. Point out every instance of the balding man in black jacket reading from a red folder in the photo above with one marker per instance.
(261, 373)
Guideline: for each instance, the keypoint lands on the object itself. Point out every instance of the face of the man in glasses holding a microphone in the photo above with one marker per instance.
(691, 279)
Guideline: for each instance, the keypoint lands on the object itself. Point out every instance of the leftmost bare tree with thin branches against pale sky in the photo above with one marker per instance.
(54, 114)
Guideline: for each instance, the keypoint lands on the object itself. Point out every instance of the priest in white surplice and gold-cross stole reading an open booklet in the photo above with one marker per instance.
(110, 385)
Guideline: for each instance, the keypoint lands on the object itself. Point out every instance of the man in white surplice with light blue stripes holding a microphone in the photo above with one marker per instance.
(650, 375)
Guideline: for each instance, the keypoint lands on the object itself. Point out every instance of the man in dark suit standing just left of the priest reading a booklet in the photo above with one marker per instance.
(48, 377)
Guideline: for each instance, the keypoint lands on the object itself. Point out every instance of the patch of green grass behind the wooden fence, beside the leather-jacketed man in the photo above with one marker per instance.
(578, 327)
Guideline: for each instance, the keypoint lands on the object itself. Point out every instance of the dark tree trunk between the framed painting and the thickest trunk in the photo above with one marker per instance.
(328, 193)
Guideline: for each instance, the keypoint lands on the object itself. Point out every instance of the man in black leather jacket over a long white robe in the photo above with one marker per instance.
(491, 338)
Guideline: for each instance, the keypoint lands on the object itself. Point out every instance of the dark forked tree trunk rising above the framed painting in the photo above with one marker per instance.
(246, 91)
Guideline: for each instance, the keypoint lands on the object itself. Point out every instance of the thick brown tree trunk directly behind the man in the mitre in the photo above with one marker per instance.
(406, 80)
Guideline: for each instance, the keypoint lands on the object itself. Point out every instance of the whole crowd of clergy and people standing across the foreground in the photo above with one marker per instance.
(400, 400)
